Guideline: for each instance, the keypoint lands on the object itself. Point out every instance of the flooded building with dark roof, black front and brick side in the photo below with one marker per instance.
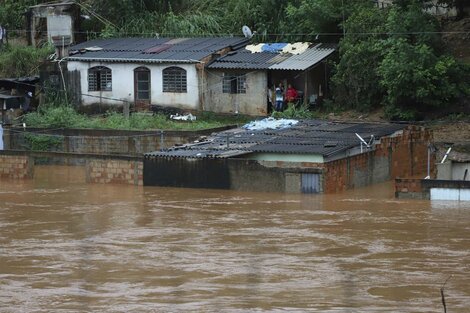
(307, 156)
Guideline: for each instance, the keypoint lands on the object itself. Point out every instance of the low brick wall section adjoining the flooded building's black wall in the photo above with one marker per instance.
(111, 171)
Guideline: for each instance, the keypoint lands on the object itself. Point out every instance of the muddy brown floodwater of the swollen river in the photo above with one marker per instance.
(66, 246)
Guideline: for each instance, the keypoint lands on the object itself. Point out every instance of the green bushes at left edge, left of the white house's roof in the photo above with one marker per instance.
(22, 61)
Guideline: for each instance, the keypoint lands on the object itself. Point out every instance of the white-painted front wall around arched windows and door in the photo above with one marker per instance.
(123, 84)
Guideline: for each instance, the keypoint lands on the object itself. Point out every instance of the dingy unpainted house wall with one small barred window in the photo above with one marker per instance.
(253, 102)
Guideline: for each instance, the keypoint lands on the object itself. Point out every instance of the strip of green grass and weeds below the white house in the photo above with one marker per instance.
(64, 116)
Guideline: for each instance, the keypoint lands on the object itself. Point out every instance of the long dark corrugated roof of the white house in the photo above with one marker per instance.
(152, 50)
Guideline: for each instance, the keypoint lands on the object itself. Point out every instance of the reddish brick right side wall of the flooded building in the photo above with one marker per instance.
(404, 155)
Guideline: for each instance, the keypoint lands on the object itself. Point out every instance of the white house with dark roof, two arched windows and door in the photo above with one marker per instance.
(158, 71)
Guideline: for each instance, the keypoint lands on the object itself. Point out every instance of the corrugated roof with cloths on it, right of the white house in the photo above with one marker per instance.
(273, 59)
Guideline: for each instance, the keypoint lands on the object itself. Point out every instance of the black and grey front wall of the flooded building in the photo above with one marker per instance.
(235, 174)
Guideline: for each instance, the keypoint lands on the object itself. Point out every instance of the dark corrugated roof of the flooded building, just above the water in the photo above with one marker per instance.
(306, 137)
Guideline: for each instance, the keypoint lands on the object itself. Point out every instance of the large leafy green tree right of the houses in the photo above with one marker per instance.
(397, 63)
